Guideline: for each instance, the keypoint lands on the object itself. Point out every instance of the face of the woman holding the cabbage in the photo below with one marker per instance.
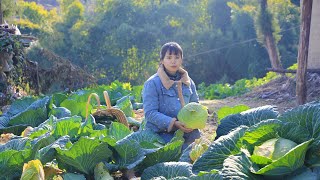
(172, 62)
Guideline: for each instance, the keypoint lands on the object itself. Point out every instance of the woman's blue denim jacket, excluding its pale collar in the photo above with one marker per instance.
(161, 105)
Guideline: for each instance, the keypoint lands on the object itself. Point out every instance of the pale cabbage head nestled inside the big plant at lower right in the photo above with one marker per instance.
(274, 148)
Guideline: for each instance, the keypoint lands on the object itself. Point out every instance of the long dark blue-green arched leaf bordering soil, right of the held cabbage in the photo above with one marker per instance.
(247, 118)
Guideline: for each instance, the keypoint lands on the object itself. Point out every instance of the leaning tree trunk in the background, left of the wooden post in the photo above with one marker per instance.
(269, 39)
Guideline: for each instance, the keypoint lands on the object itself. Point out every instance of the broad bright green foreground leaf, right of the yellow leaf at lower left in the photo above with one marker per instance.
(84, 154)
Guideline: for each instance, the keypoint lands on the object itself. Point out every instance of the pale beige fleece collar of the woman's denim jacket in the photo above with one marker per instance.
(167, 82)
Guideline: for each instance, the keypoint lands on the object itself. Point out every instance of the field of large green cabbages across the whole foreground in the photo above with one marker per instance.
(49, 137)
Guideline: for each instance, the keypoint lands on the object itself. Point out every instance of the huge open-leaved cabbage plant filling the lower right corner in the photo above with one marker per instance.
(261, 144)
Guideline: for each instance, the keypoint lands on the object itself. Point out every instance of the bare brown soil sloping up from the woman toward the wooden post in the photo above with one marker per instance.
(279, 92)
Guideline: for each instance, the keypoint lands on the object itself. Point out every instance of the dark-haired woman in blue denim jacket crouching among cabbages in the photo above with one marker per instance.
(161, 100)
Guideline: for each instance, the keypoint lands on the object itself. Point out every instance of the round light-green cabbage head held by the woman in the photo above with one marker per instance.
(193, 115)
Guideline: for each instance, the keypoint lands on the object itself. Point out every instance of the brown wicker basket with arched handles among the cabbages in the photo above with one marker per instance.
(110, 111)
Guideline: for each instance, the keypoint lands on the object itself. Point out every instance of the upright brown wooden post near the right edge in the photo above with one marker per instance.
(301, 88)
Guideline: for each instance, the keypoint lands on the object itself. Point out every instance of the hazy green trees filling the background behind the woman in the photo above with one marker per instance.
(120, 39)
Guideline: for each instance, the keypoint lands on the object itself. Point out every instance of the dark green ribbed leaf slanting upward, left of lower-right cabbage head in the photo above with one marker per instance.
(219, 150)
